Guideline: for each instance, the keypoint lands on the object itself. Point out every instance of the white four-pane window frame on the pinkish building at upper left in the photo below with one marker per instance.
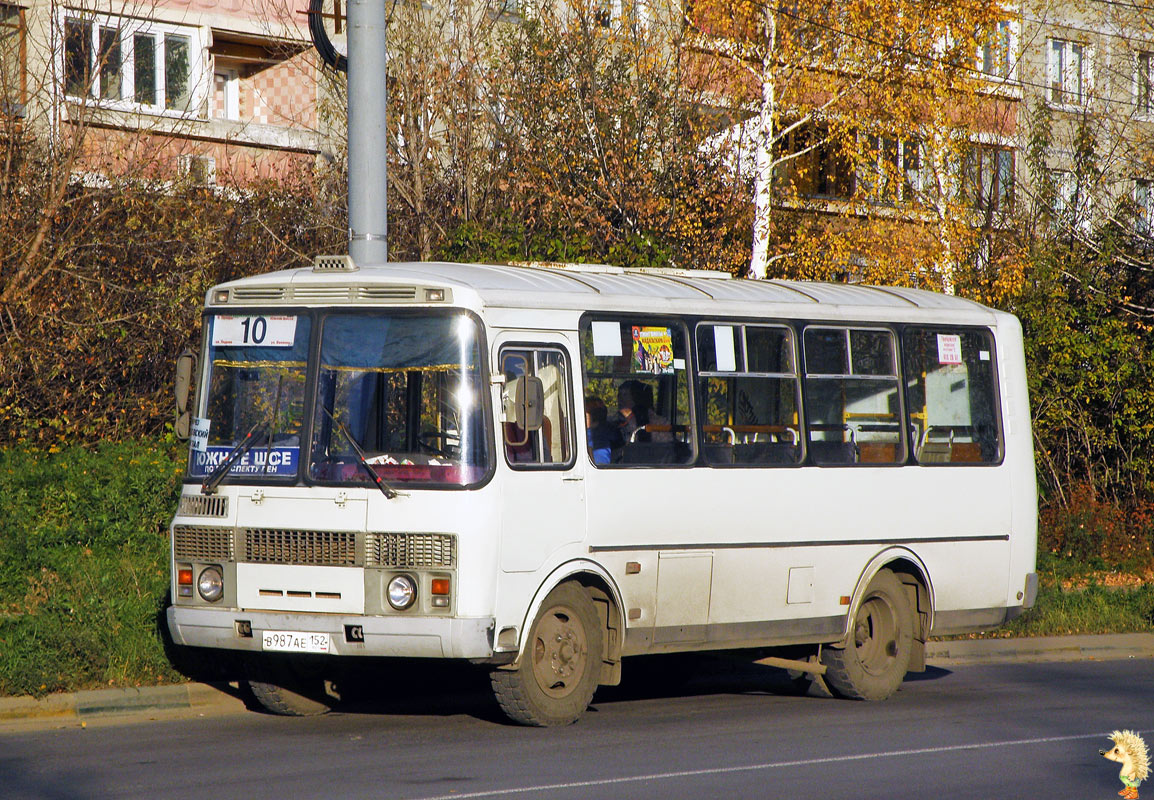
(129, 28)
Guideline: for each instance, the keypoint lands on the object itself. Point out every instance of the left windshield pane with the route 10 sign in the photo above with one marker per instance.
(256, 397)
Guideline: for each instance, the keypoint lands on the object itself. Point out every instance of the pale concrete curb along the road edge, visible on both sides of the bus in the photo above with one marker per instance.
(222, 699)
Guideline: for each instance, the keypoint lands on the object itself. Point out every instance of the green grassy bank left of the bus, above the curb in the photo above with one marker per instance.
(84, 565)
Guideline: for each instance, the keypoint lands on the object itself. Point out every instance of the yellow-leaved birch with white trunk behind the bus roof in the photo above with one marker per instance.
(848, 109)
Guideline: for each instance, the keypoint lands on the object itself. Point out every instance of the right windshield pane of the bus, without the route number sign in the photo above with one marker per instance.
(408, 391)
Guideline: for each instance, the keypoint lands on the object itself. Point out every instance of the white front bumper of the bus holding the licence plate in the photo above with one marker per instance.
(402, 638)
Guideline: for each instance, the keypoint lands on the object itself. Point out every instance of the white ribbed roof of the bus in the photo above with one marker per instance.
(583, 287)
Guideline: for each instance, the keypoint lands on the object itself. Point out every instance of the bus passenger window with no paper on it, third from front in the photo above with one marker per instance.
(852, 405)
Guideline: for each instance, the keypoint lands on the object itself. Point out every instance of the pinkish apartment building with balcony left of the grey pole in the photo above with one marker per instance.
(221, 93)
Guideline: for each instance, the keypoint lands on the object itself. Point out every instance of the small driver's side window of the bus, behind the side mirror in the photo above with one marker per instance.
(551, 445)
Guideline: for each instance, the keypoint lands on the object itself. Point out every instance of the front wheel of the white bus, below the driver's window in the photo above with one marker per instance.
(560, 667)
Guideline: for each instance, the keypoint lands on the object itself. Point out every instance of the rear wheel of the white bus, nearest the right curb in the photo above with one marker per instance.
(874, 662)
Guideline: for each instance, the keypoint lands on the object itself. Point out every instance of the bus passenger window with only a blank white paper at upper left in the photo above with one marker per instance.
(750, 394)
